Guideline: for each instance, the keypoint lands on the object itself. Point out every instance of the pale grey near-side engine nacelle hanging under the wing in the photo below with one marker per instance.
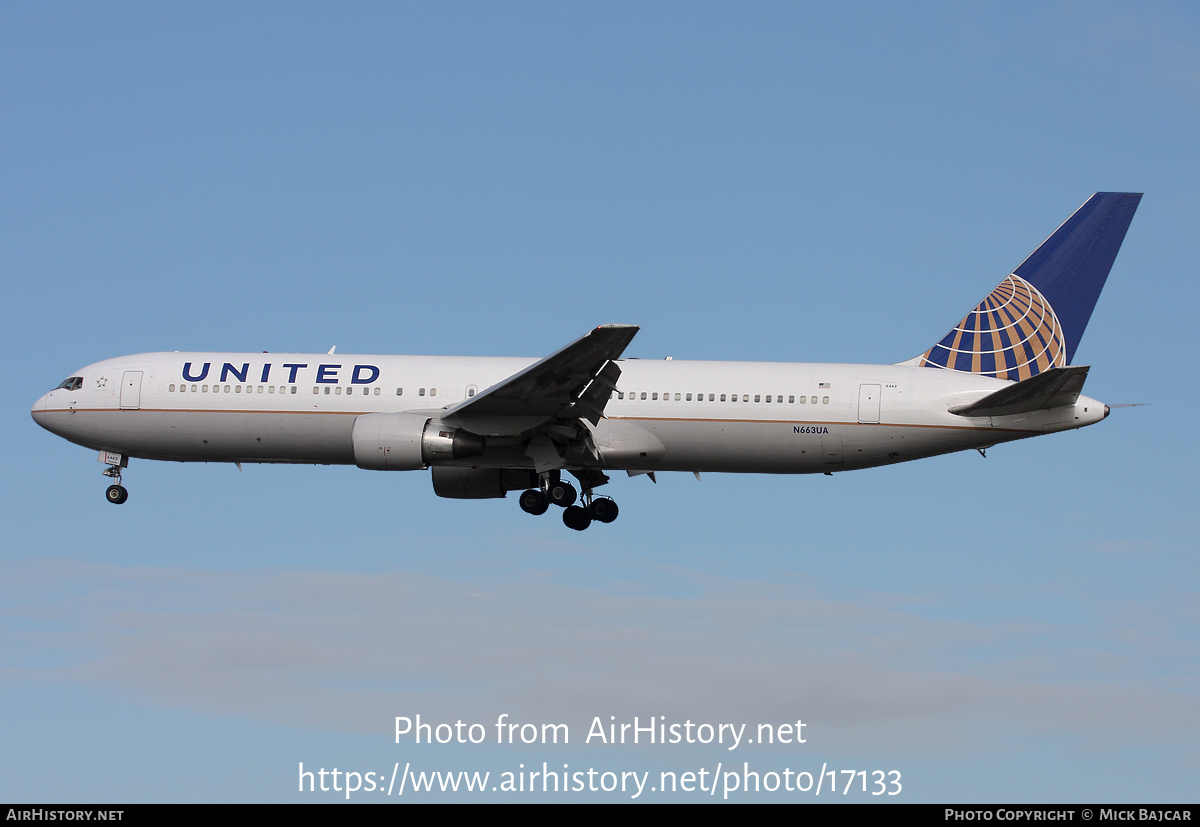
(410, 442)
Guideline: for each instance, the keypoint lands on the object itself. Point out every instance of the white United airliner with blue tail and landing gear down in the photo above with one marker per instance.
(490, 426)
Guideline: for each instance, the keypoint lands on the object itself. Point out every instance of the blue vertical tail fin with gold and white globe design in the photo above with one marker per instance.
(1035, 319)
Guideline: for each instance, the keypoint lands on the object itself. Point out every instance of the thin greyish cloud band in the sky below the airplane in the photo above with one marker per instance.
(350, 652)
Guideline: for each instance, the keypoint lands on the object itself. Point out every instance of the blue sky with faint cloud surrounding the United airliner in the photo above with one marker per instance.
(794, 183)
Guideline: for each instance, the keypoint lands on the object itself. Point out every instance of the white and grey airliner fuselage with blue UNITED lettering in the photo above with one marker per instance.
(668, 416)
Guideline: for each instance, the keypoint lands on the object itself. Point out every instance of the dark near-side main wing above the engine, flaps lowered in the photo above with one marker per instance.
(573, 383)
